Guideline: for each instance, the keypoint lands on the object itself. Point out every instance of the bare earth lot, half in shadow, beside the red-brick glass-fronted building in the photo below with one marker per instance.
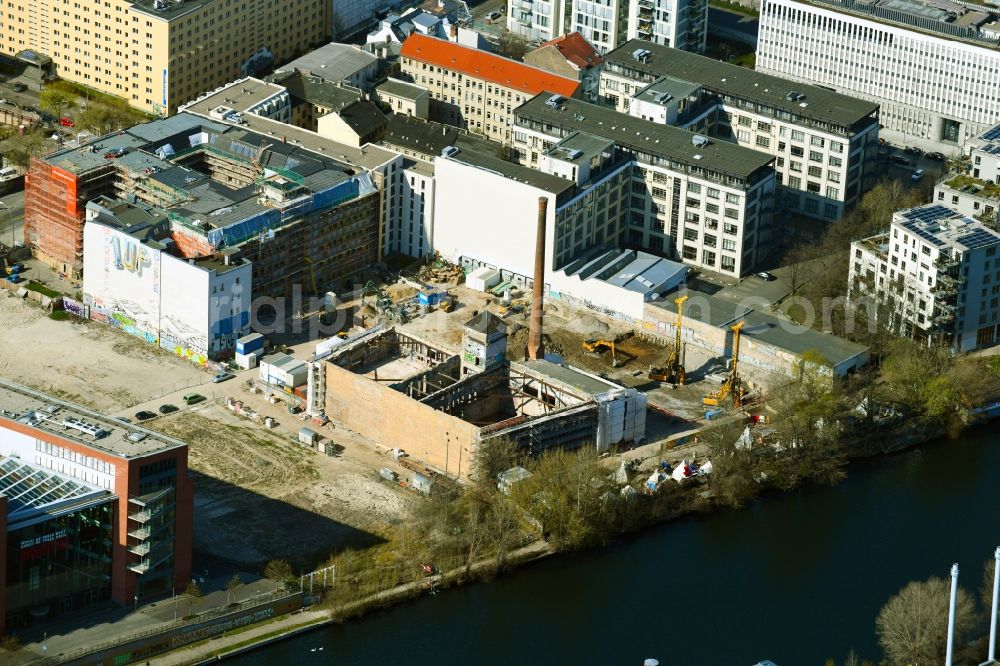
(260, 495)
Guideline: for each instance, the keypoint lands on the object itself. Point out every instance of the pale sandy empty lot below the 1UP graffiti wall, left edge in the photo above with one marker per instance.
(85, 362)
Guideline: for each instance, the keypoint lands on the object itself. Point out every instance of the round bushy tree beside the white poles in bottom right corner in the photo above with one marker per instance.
(912, 627)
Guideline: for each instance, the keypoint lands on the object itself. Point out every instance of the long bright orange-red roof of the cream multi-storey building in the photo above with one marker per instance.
(486, 66)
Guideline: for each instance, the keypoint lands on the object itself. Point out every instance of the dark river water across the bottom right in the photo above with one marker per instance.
(795, 578)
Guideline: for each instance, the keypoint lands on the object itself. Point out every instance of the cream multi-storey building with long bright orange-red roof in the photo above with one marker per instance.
(473, 89)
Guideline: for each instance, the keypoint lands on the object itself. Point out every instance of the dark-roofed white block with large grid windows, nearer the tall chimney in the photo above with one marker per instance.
(706, 202)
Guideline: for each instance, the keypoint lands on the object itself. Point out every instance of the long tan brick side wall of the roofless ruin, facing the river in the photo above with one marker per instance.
(393, 419)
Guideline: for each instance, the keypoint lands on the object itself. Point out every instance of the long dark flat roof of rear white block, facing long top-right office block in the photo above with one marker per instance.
(727, 79)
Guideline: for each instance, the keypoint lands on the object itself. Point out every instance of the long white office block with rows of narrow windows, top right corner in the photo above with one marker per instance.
(933, 67)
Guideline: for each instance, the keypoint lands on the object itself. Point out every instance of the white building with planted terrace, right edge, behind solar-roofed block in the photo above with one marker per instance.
(977, 192)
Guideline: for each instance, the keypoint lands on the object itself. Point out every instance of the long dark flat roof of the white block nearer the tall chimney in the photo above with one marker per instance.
(642, 136)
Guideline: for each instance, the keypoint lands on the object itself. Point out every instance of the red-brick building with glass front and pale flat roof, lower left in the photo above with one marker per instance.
(93, 509)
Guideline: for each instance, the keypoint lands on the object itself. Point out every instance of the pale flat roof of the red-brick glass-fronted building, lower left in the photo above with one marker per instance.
(76, 423)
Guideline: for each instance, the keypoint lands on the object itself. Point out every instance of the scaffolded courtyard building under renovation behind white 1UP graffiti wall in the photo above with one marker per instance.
(300, 217)
